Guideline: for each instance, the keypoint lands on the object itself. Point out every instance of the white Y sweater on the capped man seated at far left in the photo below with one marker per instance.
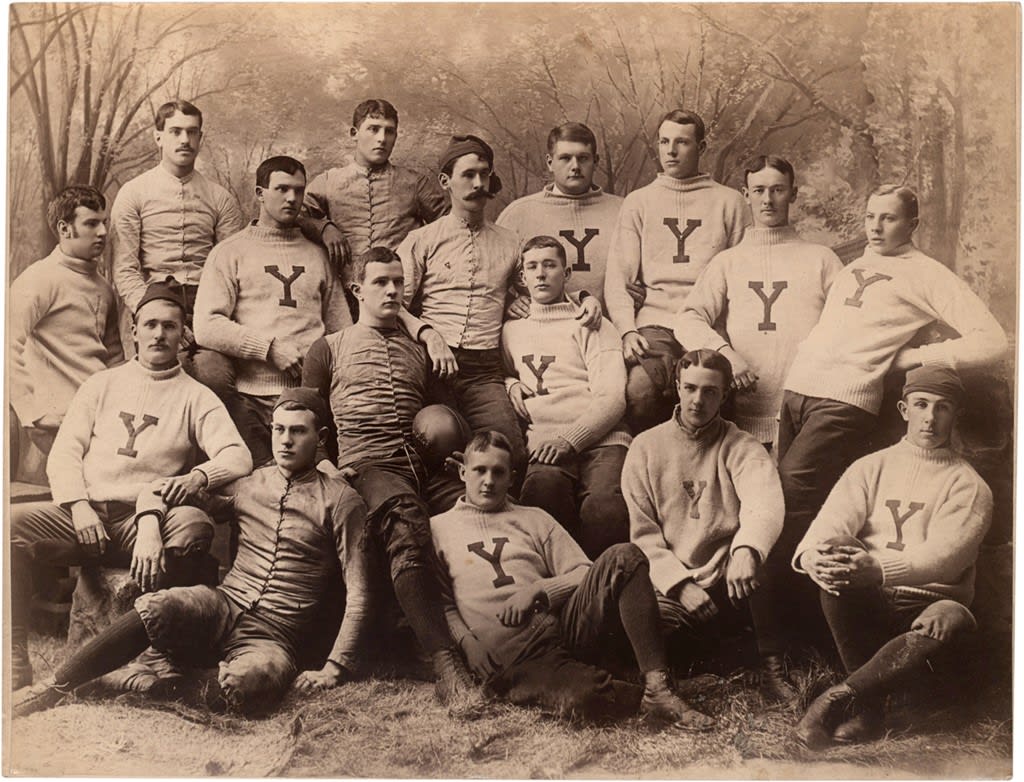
(130, 426)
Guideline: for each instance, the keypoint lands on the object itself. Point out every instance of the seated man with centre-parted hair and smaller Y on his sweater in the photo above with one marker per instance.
(706, 507)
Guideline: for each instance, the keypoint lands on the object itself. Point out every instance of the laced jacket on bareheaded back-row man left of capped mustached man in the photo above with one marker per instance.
(373, 207)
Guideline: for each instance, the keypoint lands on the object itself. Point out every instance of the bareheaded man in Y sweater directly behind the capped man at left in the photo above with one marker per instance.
(267, 295)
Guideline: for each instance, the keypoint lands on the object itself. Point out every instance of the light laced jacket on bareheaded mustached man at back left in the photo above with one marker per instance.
(165, 227)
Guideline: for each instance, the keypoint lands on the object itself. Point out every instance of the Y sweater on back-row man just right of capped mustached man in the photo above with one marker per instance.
(583, 224)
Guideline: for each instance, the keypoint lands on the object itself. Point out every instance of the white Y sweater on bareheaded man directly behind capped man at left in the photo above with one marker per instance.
(262, 285)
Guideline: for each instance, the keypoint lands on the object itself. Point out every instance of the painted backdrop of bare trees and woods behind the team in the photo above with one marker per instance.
(855, 96)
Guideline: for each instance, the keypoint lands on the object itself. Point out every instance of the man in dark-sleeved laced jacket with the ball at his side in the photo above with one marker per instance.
(374, 377)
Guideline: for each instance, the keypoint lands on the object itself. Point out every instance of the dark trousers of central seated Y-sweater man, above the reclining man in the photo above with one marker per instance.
(585, 496)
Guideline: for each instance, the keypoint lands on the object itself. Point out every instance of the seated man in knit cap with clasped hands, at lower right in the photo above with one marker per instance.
(893, 550)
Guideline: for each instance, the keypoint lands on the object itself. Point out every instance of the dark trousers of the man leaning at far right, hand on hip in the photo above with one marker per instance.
(819, 440)
